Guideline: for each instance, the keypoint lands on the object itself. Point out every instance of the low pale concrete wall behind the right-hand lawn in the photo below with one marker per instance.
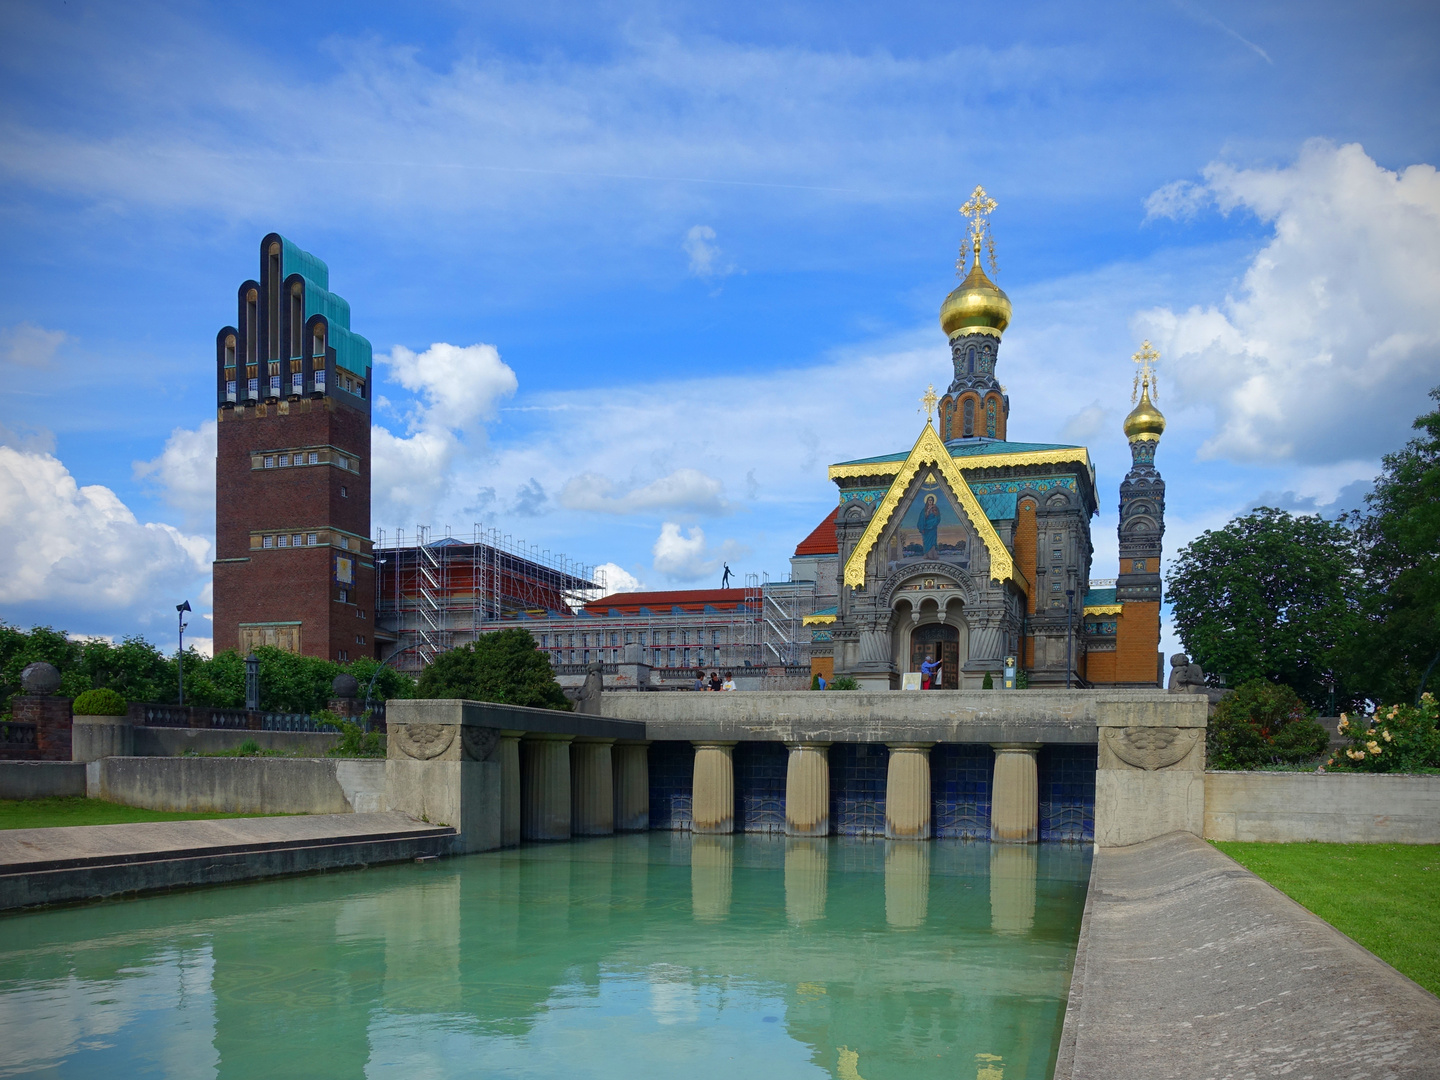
(1338, 809)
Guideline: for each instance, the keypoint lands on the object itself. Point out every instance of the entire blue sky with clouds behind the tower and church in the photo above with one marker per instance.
(639, 273)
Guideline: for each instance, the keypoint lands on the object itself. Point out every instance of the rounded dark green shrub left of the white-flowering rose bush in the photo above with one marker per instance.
(1262, 724)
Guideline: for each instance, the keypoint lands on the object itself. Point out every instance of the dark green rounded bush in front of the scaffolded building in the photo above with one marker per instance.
(503, 666)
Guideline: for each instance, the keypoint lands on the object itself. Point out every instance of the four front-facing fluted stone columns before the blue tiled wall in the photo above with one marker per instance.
(1014, 791)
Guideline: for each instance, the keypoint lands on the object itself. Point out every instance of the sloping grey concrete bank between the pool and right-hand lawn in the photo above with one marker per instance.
(1189, 966)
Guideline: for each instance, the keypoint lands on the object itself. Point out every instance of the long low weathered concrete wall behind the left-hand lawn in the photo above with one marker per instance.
(241, 786)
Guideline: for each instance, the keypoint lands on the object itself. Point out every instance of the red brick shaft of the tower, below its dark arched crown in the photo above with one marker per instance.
(284, 584)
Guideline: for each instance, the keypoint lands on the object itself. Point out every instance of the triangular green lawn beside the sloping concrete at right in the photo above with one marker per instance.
(1382, 895)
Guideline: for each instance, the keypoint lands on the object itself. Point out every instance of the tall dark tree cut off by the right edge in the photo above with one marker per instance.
(1399, 539)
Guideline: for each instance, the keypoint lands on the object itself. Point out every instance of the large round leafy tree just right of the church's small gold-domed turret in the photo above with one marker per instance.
(1272, 595)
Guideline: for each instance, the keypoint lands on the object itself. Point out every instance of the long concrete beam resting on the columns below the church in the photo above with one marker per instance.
(951, 716)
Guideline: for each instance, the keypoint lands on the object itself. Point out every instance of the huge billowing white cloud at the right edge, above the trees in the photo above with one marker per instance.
(1336, 333)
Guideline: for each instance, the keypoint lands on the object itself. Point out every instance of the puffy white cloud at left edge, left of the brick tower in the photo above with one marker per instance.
(80, 549)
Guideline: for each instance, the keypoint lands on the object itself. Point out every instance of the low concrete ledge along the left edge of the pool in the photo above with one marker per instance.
(96, 862)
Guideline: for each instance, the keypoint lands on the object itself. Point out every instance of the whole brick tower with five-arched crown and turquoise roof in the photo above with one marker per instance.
(294, 565)
